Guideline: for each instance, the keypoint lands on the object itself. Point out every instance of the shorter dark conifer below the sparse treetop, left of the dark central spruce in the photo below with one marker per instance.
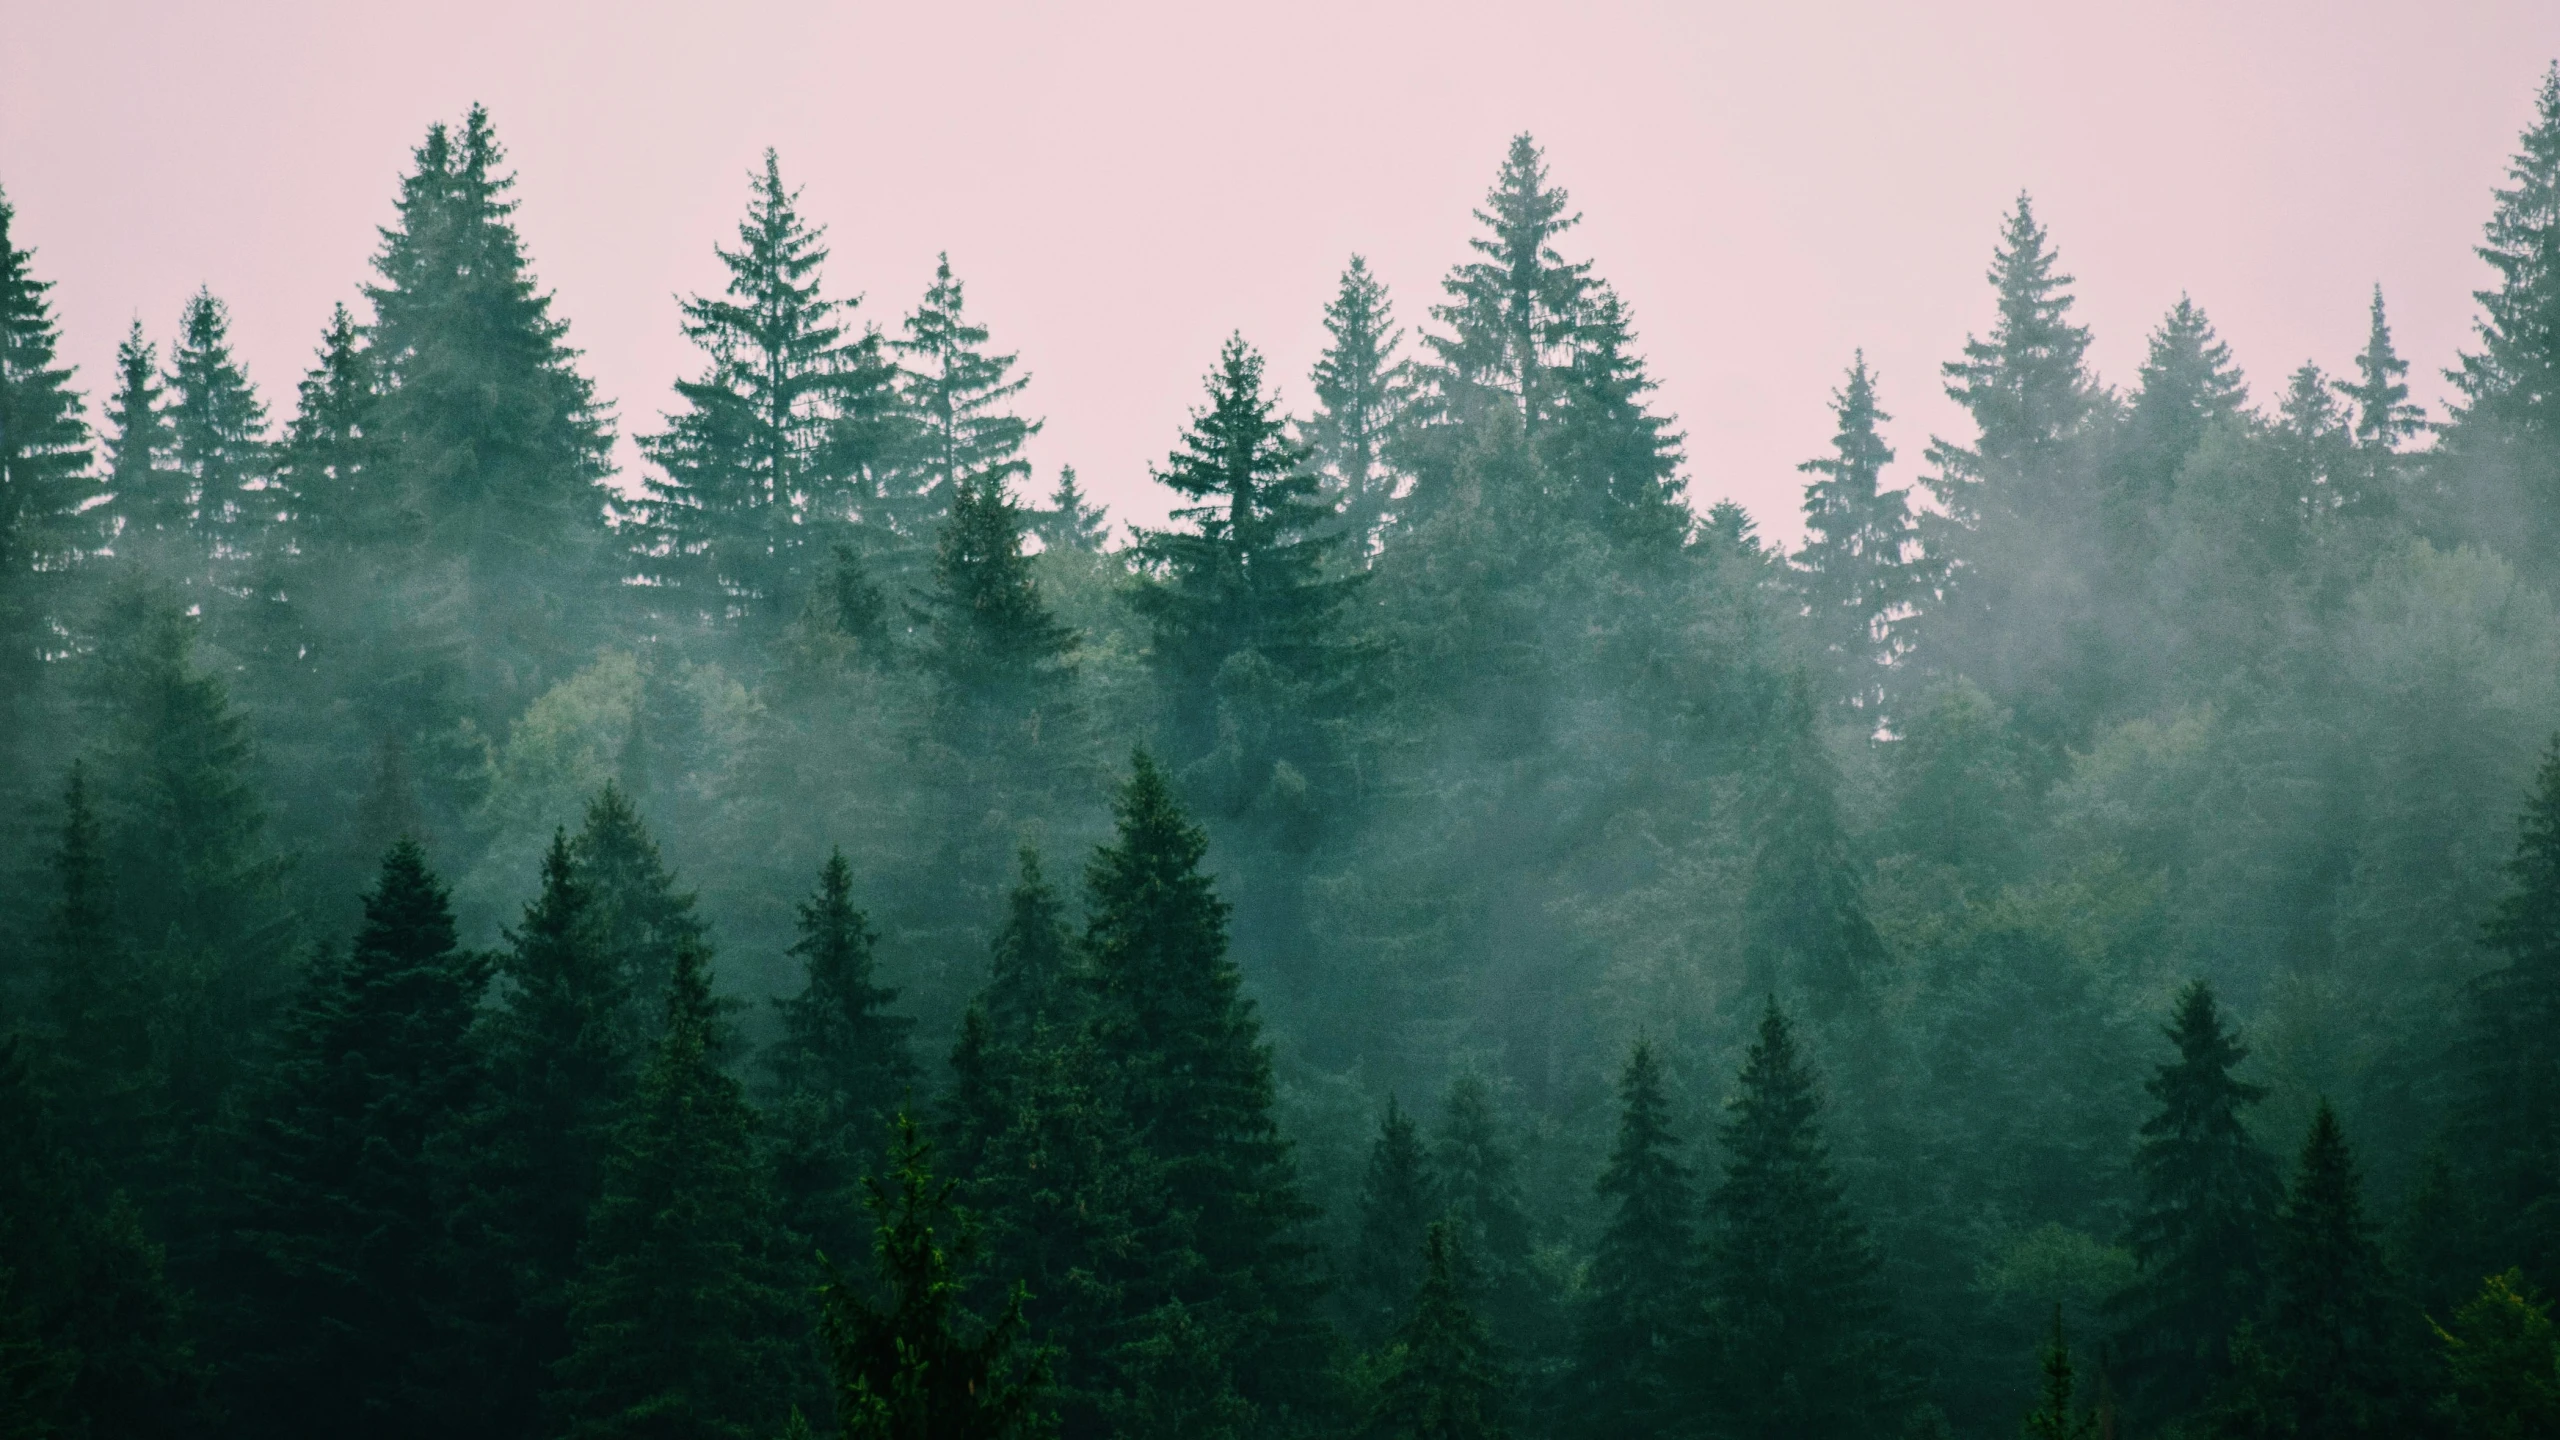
(989, 639)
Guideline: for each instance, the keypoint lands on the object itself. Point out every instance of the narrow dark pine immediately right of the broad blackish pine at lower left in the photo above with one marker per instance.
(562, 1065)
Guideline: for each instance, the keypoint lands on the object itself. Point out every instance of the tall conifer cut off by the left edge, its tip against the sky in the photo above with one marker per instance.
(45, 460)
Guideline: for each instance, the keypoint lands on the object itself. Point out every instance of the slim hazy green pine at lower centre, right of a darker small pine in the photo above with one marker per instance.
(1478, 1182)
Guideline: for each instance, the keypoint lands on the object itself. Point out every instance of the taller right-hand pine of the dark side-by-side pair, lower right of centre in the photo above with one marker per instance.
(1793, 1295)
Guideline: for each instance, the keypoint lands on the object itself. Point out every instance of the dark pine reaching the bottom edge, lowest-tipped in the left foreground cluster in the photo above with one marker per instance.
(680, 1321)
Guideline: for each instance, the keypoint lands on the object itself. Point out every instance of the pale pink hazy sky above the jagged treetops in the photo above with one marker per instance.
(1123, 186)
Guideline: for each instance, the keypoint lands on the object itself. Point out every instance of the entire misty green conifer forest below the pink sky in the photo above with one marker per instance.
(1448, 939)
